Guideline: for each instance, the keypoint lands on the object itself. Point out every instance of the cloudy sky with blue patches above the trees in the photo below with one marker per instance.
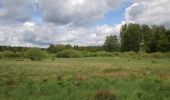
(39, 23)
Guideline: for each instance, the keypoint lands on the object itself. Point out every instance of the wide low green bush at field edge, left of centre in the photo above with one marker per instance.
(68, 54)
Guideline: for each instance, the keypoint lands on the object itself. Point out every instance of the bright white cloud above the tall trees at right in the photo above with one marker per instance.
(149, 12)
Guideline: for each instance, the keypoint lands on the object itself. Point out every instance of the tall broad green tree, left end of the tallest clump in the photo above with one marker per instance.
(131, 37)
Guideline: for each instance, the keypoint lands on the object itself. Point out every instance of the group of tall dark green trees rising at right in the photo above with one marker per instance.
(136, 37)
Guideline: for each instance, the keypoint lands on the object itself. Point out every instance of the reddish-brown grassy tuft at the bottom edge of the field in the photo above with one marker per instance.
(105, 94)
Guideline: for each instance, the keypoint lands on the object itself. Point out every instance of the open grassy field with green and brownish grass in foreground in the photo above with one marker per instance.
(85, 79)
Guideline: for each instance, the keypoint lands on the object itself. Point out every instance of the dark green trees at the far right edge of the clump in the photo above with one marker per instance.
(155, 38)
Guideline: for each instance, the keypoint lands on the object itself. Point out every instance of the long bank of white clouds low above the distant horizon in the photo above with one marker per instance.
(42, 36)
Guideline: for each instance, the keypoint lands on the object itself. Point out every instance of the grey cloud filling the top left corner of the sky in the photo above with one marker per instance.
(14, 10)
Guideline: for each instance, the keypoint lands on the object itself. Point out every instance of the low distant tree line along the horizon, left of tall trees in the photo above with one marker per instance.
(54, 48)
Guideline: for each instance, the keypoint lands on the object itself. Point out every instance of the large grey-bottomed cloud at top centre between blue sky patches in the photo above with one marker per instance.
(77, 12)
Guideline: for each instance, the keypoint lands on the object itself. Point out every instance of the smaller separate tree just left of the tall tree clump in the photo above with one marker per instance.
(111, 43)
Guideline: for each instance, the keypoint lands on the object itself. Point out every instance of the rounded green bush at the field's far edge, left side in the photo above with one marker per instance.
(36, 54)
